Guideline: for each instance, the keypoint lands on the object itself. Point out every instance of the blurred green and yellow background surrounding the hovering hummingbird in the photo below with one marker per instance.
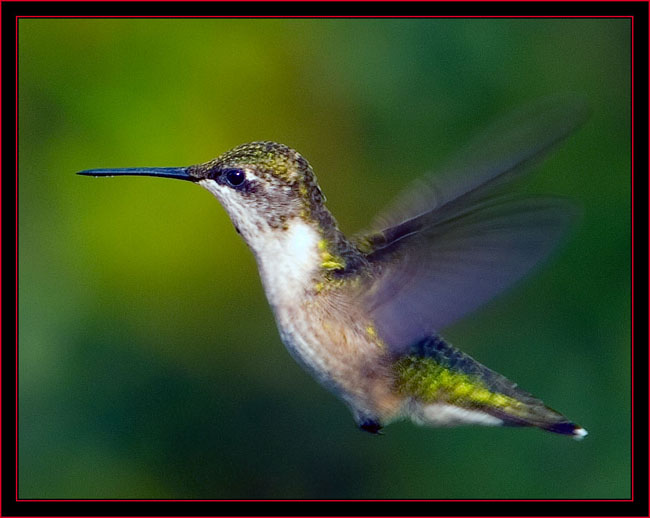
(150, 365)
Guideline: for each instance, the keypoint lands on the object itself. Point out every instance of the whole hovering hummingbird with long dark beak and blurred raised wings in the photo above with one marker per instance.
(363, 314)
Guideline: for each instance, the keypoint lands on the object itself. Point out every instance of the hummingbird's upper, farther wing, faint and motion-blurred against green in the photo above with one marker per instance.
(498, 155)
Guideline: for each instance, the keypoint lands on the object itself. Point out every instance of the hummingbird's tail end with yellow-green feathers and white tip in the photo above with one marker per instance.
(446, 387)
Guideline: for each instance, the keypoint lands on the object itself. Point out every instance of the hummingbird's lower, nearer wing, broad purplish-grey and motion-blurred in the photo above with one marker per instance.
(433, 277)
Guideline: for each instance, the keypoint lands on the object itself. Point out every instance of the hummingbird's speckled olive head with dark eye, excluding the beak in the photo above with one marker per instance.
(262, 185)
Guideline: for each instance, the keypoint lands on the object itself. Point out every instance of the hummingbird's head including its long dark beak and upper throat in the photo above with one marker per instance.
(266, 188)
